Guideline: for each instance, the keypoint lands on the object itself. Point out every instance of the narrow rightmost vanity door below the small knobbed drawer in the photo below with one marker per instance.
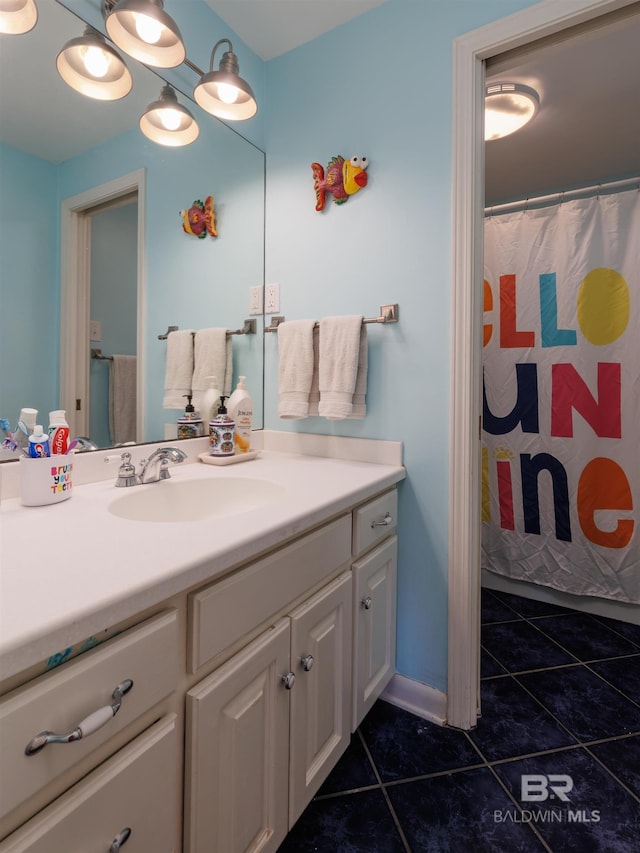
(374, 615)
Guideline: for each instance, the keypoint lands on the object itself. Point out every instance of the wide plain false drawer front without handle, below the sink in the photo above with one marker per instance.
(227, 610)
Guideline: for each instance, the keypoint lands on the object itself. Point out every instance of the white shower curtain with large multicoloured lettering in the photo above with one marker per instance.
(561, 396)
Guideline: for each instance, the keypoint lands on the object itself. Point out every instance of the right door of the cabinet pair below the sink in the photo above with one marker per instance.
(321, 697)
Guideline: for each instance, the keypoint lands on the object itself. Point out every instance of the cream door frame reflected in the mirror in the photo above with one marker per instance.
(75, 265)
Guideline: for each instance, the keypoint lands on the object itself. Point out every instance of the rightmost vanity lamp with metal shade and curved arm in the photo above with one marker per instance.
(223, 93)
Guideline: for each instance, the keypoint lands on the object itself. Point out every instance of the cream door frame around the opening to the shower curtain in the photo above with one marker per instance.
(469, 53)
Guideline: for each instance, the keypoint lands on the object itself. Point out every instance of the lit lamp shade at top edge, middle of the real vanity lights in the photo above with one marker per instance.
(144, 30)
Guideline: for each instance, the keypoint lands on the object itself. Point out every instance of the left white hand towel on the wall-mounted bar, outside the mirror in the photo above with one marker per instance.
(295, 368)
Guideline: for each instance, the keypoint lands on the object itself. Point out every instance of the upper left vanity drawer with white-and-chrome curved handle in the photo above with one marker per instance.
(58, 701)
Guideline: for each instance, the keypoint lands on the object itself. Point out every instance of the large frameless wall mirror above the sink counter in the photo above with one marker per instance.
(187, 282)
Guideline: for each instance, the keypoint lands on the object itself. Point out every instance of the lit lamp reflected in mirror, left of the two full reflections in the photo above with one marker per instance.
(91, 66)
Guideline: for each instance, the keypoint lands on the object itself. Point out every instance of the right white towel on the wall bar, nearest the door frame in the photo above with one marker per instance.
(342, 341)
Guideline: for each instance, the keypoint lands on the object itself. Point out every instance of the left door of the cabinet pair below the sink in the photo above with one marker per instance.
(237, 751)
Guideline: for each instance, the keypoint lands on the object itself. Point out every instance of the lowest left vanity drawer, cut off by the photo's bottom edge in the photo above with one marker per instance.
(136, 789)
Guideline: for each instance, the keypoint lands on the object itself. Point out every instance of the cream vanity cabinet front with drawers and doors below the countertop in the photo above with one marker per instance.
(246, 690)
